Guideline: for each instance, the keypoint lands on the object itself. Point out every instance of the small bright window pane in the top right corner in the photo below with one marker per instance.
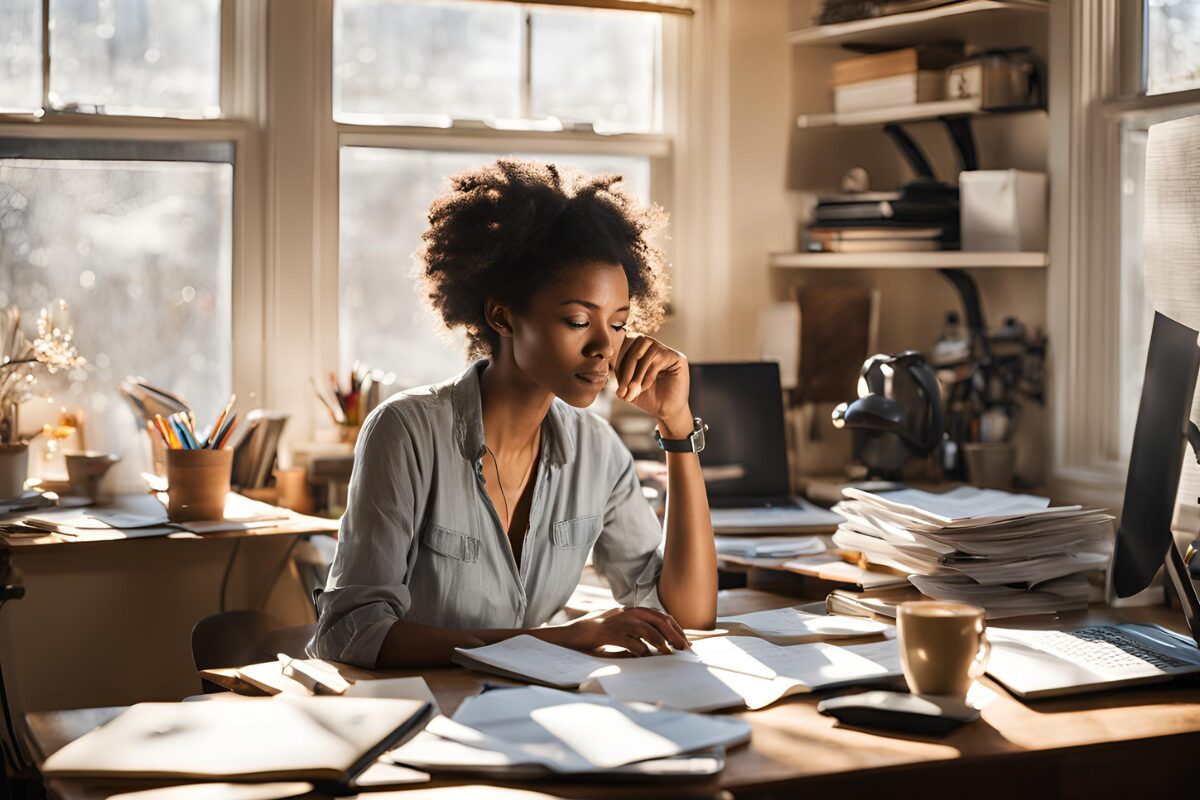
(1173, 46)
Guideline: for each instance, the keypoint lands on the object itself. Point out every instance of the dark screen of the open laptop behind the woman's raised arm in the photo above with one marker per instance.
(746, 452)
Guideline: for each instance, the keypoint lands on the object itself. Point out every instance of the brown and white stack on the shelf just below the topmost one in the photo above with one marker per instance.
(903, 77)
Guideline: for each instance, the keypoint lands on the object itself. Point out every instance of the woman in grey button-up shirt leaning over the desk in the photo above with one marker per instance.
(475, 503)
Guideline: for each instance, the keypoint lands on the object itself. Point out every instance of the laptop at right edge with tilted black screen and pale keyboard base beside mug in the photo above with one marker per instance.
(1049, 664)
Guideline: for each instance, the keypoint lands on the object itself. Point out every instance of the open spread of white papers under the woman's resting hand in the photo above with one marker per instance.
(717, 673)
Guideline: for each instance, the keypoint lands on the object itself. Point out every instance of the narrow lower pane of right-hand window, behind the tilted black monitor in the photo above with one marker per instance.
(1137, 315)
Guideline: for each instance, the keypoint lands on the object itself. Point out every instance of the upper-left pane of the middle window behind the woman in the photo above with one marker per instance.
(395, 59)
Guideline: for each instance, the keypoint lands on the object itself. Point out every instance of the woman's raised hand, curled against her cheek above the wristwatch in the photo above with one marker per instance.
(655, 378)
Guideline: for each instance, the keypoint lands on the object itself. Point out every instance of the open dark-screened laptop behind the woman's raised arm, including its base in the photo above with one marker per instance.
(746, 450)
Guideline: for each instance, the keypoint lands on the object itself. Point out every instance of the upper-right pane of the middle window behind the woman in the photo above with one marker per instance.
(597, 67)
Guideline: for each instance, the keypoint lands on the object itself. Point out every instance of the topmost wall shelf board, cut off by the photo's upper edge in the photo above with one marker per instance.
(961, 21)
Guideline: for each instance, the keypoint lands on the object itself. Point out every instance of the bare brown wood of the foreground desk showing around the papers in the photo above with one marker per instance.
(1138, 742)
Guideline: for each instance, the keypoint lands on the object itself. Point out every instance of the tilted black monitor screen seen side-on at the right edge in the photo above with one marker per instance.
(1144, 539)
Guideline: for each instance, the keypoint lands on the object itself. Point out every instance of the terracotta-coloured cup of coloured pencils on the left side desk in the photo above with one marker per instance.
(199, 467)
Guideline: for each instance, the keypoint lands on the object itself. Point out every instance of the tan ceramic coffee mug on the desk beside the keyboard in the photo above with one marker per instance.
(943, 647)
